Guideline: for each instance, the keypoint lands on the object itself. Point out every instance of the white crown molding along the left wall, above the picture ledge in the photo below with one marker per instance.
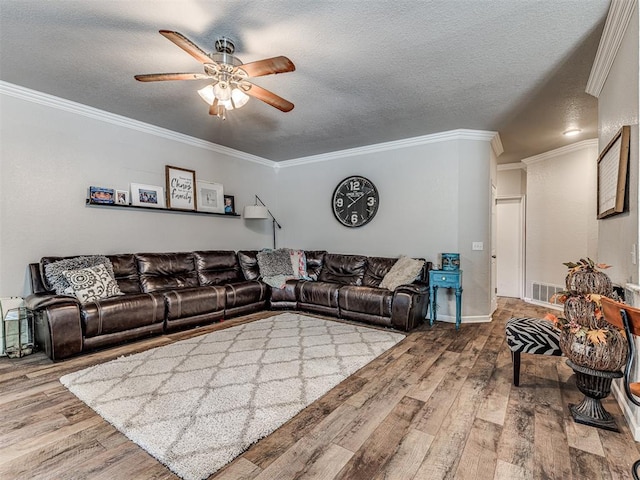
(58, 103)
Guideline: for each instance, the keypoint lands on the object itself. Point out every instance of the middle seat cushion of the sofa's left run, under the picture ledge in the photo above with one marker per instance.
(190, 302)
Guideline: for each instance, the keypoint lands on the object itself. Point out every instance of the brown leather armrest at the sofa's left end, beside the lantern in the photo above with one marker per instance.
(58, 327)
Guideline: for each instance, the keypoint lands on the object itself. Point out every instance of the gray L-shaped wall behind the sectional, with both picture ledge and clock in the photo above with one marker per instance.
(435, 196)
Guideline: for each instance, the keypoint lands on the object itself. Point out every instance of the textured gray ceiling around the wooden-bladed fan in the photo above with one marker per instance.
(367, 72)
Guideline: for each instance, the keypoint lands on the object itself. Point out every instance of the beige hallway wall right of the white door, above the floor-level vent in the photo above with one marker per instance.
(561, 223)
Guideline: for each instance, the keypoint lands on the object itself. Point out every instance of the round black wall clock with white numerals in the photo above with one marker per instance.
(355, 201)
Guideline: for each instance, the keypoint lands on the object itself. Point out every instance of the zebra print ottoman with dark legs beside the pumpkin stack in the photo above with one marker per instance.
(531, 335)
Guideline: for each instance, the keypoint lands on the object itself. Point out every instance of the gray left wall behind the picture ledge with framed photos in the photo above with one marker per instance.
(48, 159)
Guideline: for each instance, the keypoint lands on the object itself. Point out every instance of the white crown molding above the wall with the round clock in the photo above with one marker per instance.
(460, 134)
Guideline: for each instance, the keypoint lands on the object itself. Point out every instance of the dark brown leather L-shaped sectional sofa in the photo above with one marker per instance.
(164, 292)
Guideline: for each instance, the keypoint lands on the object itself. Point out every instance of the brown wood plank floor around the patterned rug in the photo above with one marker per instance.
(440, 404)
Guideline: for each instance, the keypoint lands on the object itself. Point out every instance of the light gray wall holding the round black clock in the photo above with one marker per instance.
(434, 198)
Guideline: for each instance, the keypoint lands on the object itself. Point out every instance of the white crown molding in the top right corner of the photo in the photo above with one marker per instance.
(614, 29)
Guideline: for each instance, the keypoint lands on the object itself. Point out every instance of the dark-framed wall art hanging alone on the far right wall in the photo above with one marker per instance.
(613, 165)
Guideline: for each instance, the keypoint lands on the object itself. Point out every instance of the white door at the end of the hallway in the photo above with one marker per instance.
(510, 246)
